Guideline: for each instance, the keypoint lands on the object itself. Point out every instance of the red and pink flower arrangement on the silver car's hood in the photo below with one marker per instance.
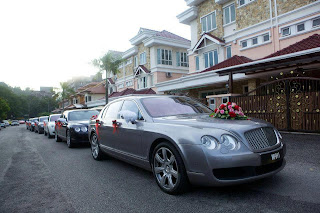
(229, 111)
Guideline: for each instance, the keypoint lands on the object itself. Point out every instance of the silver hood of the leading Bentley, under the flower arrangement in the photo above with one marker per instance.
(204, 121)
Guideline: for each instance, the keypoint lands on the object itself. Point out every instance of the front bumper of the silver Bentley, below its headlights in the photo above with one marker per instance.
(228, 169)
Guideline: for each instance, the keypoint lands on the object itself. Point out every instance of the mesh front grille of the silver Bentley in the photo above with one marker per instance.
(261, 138)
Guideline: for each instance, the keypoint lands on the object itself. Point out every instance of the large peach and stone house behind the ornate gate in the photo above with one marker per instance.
(263, 54)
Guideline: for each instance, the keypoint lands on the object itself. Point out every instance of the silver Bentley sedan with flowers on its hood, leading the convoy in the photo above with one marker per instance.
(176, 139)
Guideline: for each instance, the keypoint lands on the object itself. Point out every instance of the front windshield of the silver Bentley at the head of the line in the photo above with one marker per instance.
(168, 106)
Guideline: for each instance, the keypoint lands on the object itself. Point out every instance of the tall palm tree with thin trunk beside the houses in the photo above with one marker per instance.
(110, 62)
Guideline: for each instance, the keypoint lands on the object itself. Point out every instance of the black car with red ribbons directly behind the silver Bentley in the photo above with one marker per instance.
(72, 126)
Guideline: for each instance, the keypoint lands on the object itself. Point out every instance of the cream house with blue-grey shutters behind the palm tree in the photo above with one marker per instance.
(155, 56)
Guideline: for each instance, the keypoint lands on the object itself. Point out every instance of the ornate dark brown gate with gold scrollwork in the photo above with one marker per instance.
(291, 104)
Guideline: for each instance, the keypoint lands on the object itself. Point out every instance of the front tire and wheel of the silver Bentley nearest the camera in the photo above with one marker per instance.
(169, 170)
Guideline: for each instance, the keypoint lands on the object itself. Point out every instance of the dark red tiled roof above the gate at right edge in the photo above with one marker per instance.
(305, 44)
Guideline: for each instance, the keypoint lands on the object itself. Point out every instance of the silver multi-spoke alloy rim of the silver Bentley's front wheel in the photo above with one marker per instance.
(166, 168)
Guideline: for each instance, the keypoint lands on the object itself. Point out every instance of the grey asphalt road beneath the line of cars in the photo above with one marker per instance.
(39, 175)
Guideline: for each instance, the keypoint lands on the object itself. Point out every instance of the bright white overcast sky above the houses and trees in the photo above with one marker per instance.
(44, 42)
